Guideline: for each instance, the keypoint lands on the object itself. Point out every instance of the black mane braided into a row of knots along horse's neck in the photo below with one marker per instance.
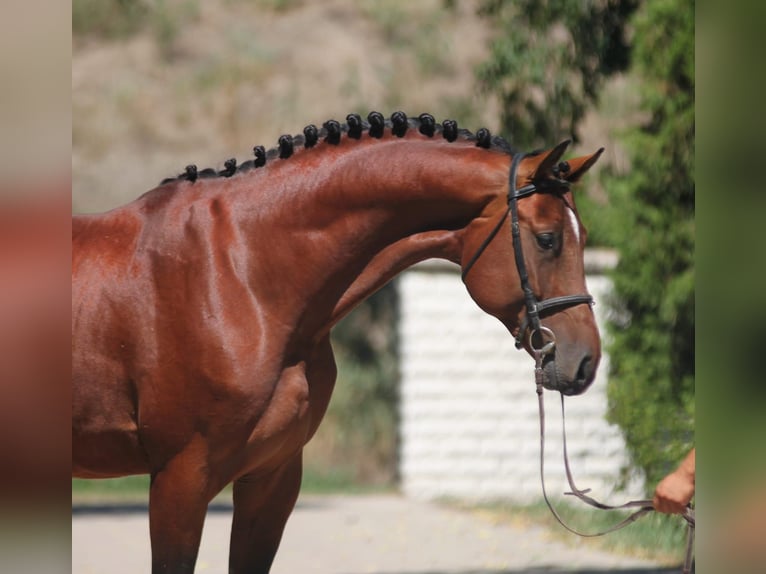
(332, 131)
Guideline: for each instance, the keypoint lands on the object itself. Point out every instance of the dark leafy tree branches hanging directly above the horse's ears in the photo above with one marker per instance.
(549, 60)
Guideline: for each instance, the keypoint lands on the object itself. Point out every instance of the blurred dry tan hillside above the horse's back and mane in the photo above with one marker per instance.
(204, 81)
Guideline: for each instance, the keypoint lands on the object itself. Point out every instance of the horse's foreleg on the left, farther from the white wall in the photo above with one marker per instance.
(177, 506)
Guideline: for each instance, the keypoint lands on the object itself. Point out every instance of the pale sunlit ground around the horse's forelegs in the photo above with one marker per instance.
(381, 534)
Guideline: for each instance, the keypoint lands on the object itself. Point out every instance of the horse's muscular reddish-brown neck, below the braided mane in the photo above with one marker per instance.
(353, 216)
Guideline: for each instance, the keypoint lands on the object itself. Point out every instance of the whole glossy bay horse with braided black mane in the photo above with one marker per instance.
(201, 311)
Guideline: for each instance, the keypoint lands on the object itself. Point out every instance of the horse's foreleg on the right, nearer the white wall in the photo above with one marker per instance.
(261, 508)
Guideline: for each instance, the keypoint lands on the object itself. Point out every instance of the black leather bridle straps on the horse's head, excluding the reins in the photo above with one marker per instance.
(534, 307)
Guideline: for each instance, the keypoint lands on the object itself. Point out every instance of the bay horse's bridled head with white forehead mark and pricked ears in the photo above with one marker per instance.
(522, 262)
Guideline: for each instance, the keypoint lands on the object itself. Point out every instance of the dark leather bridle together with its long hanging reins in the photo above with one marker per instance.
(531, 322)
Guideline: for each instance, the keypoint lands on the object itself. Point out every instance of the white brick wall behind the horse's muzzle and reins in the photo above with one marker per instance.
(469, 418)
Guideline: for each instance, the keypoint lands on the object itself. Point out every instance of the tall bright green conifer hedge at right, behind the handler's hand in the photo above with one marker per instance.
(651, 382)
